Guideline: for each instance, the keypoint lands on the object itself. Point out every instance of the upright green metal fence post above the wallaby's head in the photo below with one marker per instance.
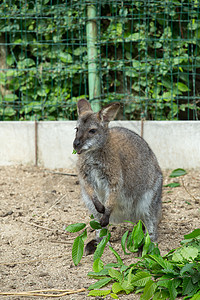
(93, 76)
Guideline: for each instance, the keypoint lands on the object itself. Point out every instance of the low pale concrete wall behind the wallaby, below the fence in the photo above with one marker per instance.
(176, 144)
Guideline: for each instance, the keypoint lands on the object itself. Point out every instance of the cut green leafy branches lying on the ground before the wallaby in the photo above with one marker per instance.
(154, 276)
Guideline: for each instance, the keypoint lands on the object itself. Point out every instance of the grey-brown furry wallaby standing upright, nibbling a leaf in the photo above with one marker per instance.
(119, 174)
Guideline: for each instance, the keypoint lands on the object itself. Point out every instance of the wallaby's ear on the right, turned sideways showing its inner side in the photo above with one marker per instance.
(109, 112)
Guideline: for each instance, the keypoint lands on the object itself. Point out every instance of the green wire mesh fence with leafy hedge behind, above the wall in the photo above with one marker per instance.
(145, 54)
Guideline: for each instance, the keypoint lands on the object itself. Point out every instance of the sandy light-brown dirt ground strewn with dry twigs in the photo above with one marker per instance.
(35, 251)
